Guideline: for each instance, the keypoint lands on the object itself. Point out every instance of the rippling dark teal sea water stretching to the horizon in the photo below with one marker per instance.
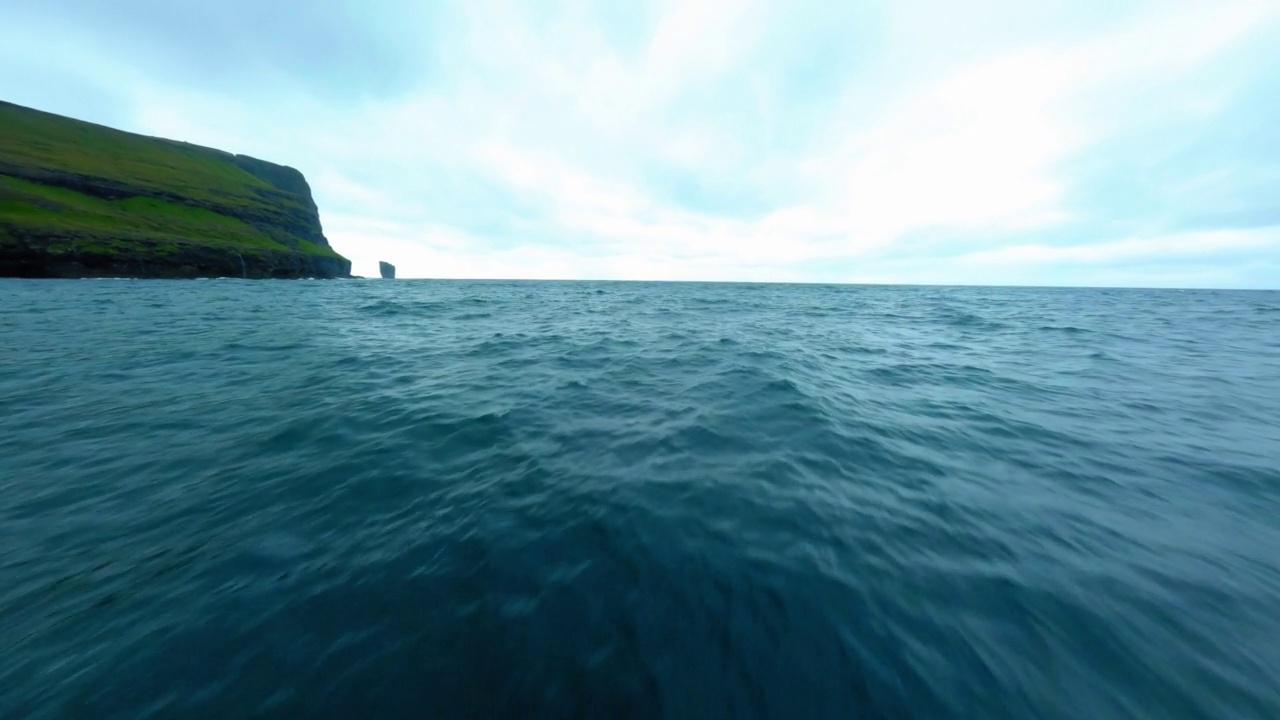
(235, 499)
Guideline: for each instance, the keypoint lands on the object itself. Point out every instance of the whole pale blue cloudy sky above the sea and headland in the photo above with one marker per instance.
(1082, 143)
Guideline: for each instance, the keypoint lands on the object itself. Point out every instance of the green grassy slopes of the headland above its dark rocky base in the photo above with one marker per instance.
(177, 194)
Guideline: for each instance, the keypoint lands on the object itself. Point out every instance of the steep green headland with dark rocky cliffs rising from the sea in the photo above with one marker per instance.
(85, 200)
